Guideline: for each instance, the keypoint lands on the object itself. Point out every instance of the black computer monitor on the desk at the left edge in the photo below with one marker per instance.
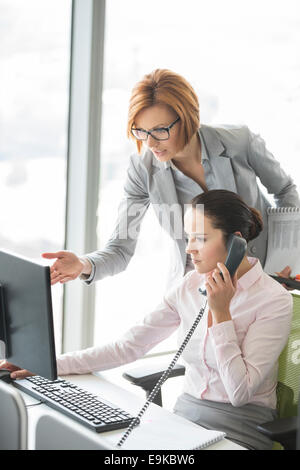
(26, 320)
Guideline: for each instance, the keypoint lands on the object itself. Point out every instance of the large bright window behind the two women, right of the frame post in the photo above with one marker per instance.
(242, 59)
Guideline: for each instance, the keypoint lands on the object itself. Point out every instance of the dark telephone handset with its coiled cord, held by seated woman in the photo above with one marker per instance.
(236, 248)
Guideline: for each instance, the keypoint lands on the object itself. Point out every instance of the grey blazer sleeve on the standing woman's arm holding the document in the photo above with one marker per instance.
(270, 173)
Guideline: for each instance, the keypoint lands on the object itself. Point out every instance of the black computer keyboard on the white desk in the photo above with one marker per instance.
(86, 408)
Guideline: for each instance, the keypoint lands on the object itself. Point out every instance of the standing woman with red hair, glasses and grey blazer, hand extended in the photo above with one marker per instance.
(181, 159)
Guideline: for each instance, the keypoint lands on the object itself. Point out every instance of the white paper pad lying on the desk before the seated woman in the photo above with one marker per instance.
(175, 433)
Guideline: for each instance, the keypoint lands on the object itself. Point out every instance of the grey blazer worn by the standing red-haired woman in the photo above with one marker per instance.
(236, 159)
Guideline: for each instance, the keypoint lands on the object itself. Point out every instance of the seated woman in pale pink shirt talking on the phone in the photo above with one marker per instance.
(231, 359)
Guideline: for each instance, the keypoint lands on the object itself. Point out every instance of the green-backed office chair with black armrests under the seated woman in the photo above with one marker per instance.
(283, 430)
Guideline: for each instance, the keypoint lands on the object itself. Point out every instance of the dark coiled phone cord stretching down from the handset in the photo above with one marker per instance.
(163, 378)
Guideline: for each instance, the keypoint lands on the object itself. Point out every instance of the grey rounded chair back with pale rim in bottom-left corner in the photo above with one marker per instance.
(13, 419)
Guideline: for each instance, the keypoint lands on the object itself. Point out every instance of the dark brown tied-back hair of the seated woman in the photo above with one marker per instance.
(229, 213)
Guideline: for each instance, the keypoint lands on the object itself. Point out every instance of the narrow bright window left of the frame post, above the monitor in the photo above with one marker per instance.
(34, 61)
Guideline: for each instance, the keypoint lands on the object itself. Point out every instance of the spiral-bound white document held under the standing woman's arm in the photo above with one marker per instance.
(283, 240)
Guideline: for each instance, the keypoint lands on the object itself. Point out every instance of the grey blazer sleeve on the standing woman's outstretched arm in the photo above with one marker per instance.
(117, 253)
